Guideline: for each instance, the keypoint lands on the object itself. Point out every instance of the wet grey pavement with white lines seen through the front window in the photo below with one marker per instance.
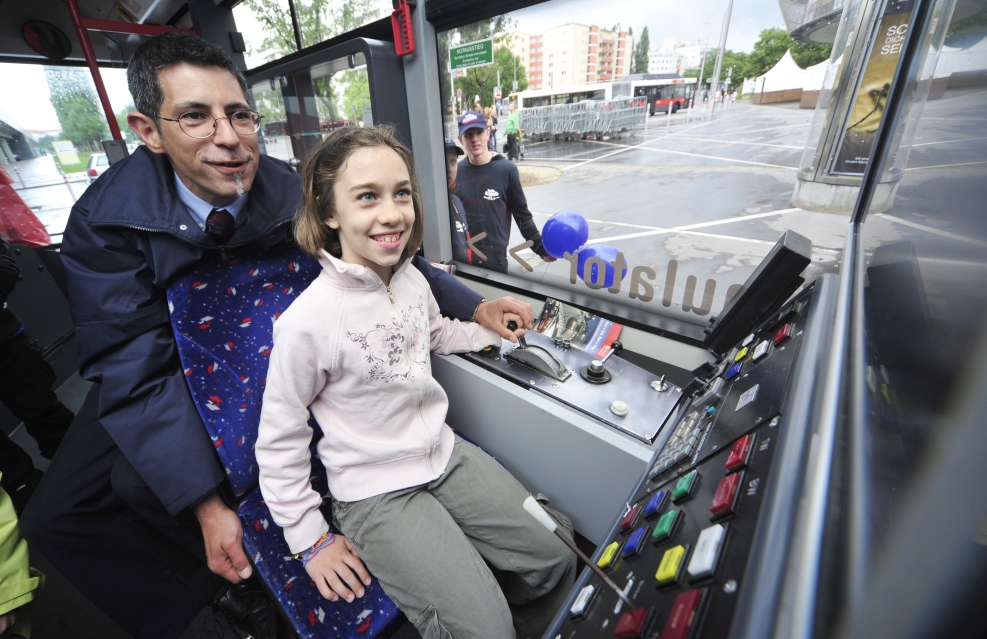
(697, 201)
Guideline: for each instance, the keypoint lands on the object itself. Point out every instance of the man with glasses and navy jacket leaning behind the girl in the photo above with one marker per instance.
(135, 506)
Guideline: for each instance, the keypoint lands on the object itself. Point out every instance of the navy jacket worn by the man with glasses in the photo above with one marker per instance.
(127, 238)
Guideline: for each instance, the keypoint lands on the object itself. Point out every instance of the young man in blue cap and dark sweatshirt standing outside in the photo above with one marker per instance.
(490, 188)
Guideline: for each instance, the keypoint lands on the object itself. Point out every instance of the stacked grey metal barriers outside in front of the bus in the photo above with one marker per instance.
(581, 119)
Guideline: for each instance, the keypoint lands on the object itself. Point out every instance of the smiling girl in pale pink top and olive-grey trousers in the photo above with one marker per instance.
(426, 510)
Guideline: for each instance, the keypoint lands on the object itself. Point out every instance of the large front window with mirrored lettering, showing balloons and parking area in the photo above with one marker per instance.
(683, 188)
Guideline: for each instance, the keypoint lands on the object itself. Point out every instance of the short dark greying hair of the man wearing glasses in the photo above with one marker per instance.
(163, 51)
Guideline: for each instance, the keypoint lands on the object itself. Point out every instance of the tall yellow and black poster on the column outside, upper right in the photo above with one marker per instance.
(857, 141)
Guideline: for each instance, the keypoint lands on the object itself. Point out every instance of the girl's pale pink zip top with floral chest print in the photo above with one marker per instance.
(356, 353)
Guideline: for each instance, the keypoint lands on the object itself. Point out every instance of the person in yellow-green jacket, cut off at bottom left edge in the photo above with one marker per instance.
(18, 581)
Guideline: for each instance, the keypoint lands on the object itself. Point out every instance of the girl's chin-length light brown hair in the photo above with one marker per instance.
(318, 199)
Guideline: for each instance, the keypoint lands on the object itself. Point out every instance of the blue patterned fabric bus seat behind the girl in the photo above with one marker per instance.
(223, 313)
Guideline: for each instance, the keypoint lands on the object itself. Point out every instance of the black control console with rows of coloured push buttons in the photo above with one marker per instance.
(680, 548)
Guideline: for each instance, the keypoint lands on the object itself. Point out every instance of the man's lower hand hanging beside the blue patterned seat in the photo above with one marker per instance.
(223, 534)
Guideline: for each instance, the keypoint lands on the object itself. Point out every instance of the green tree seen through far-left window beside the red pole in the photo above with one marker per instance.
(75, 105)
